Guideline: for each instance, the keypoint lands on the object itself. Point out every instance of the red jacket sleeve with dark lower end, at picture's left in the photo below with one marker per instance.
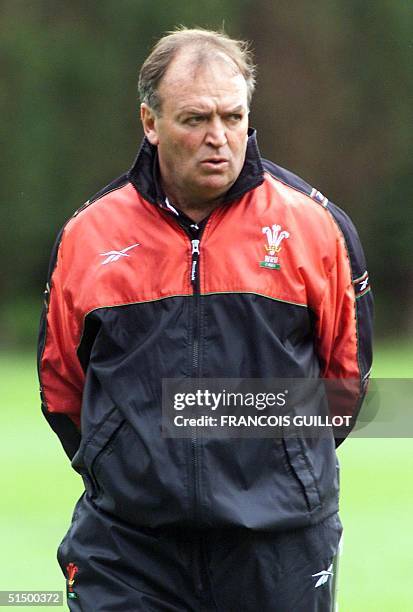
(60, 373)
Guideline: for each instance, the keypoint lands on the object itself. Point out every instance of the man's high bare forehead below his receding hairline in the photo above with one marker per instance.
(195, 79)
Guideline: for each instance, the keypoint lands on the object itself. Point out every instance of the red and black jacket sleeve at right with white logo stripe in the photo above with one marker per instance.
(344, 326)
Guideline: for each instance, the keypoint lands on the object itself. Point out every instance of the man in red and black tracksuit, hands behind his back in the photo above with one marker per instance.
(202, 261)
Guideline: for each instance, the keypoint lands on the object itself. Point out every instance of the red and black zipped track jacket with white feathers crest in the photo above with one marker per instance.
(272, 284)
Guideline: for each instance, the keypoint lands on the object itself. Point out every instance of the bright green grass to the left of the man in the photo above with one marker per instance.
(38, 486)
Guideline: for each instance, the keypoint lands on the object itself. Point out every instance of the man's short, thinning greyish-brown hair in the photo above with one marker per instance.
(164, 51)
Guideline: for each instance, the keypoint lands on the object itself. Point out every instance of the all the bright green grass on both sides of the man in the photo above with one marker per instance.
(39, 490)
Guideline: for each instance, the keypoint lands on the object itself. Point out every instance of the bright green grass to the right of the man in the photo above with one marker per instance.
(376, 508)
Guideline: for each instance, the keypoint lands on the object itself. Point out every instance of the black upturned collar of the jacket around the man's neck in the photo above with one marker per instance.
(144, 174)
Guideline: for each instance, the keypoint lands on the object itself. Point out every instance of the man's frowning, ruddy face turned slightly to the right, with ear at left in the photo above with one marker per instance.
(201, 132)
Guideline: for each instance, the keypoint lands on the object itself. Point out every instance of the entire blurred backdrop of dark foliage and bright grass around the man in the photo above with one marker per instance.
(333, 104)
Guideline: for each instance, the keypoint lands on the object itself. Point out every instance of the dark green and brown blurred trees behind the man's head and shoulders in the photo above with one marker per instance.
(333, 104)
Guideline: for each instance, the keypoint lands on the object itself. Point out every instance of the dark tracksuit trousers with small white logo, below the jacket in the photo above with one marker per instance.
(111, 566)
